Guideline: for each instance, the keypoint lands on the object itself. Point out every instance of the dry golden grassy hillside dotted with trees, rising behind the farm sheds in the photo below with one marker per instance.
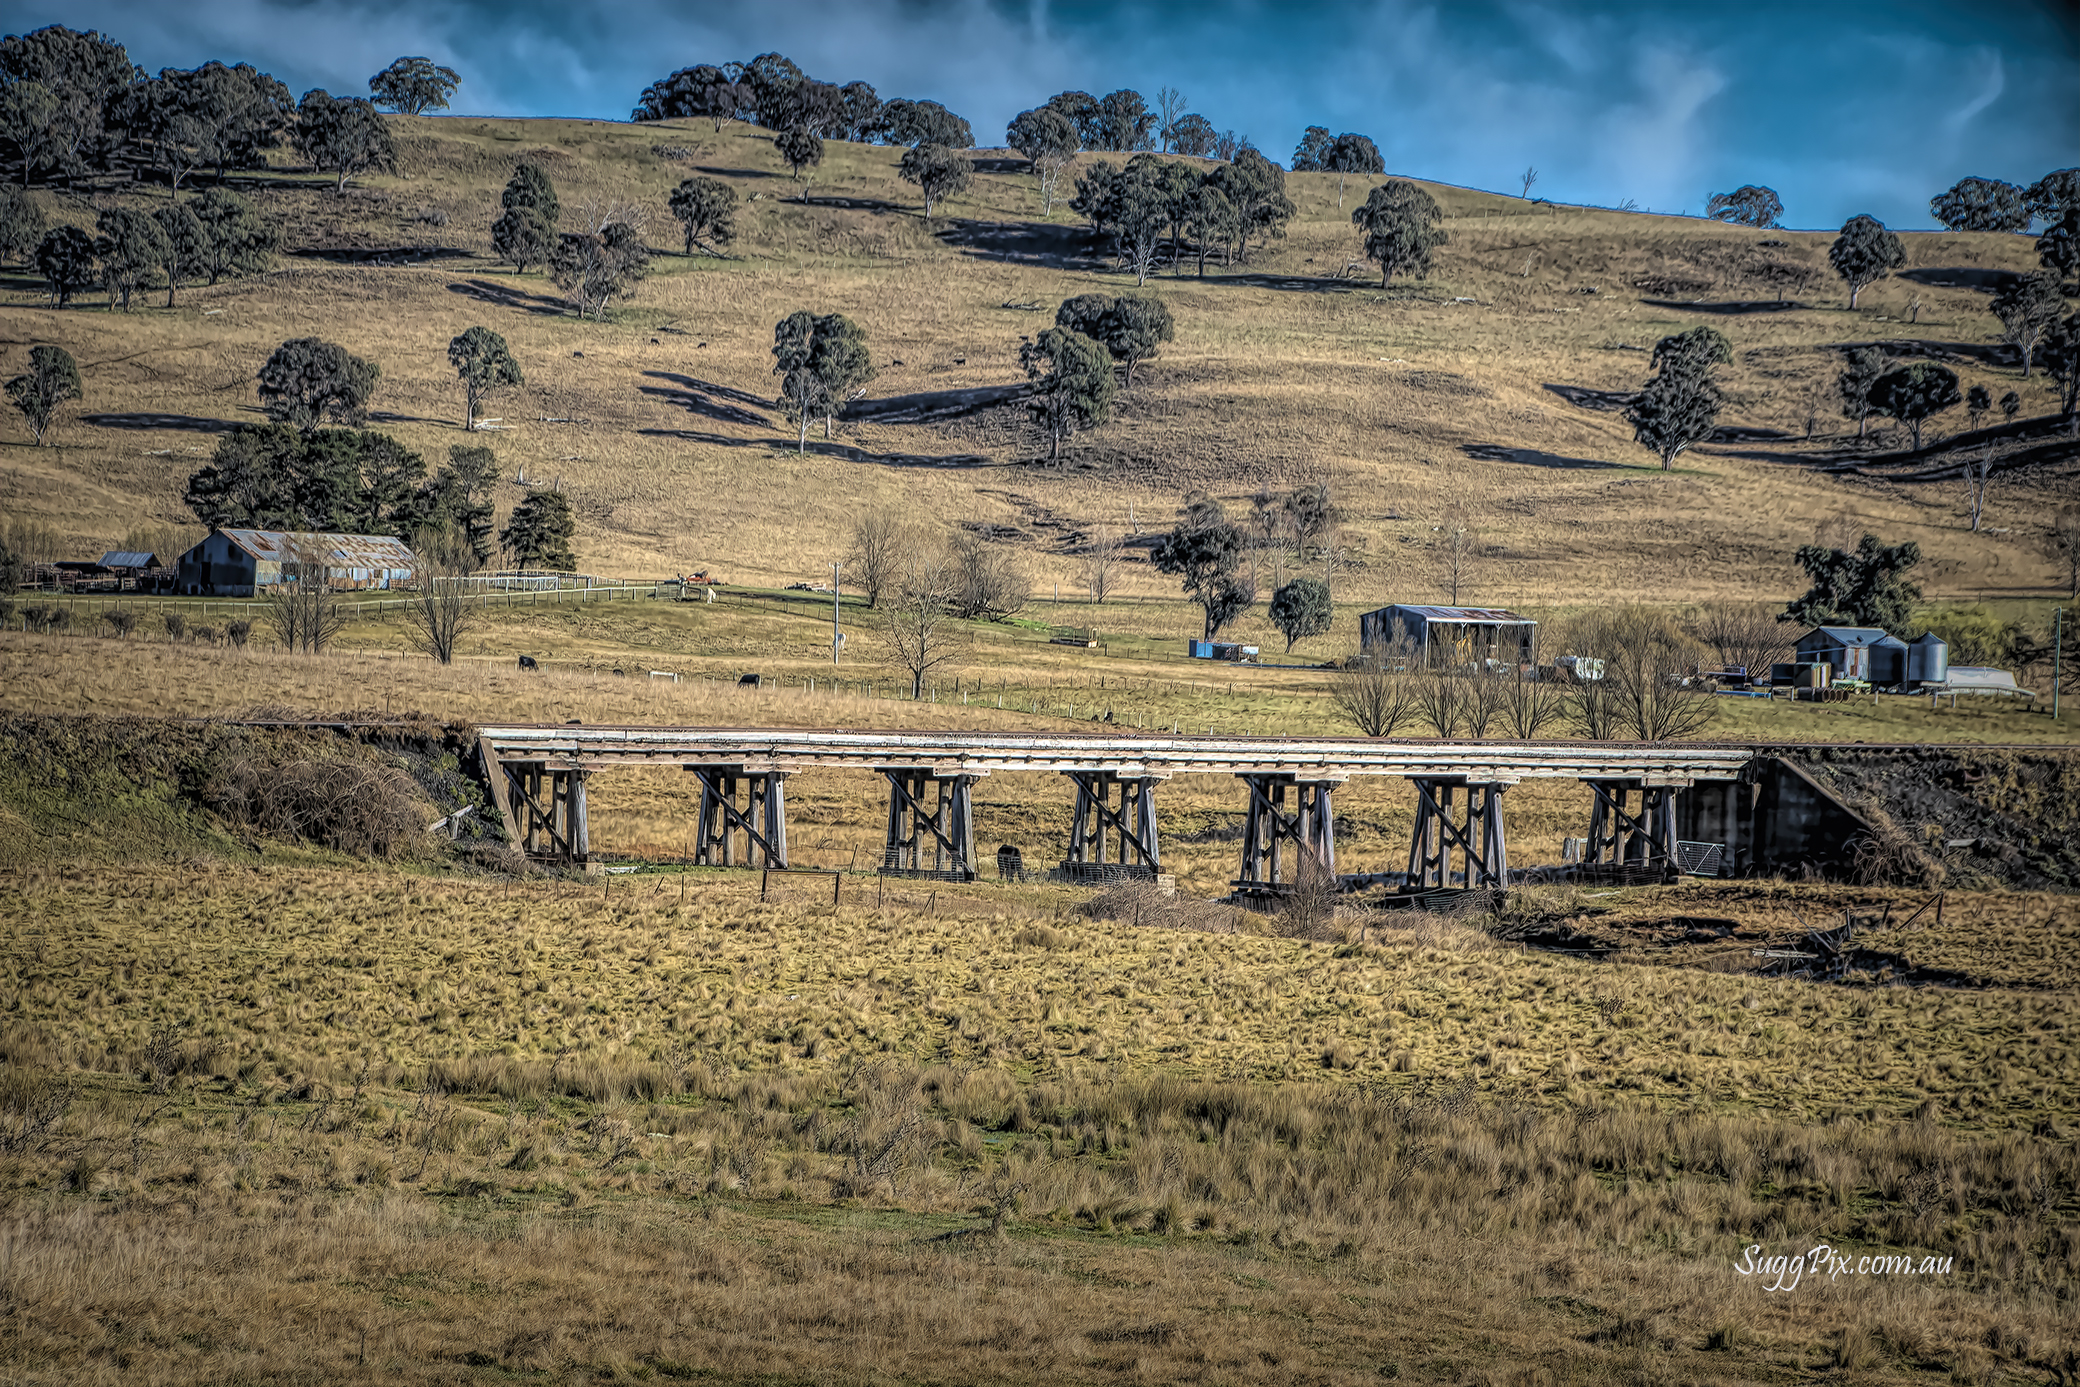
(1409, 402)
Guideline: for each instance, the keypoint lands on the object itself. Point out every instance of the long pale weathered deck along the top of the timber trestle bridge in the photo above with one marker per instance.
(977, 754)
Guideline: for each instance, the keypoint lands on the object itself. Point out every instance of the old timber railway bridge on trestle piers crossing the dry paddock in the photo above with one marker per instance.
(1644, 797)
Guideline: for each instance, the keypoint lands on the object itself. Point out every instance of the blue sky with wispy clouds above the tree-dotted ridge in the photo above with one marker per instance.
(1840, 105)
